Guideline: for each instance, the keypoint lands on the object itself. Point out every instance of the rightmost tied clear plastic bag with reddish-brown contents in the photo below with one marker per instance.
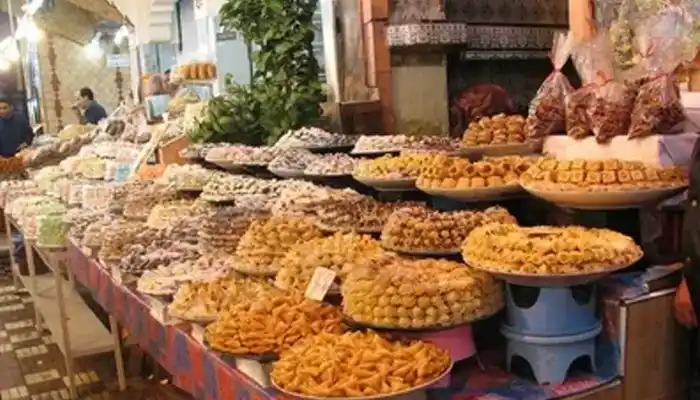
(662, 41)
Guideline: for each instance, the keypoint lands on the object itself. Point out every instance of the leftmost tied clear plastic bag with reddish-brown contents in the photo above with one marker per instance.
(547, 111)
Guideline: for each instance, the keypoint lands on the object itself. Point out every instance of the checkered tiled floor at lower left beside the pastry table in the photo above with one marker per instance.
(32, 366)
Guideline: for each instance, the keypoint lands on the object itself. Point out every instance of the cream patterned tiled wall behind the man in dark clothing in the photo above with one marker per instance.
(65, 68)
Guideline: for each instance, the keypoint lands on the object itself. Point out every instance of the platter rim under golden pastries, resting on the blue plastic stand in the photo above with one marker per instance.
(551, 280)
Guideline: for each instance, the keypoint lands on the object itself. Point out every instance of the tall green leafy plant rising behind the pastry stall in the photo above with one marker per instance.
(285, 91)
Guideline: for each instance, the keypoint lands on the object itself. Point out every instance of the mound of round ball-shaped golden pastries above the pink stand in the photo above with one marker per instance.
(414, 294)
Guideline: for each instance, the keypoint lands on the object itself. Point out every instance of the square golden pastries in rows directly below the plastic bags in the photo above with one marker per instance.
(601, 175)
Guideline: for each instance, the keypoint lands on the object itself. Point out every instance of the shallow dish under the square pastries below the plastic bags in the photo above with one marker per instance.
(608, 200)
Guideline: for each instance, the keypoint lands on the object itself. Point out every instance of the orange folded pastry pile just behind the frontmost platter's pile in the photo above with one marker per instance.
(271, 325)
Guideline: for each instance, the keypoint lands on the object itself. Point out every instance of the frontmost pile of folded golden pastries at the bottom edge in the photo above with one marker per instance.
(356, 365)
